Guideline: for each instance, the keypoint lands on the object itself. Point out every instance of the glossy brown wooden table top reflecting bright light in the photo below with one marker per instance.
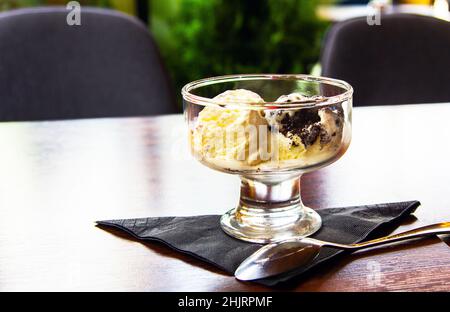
(57, 178)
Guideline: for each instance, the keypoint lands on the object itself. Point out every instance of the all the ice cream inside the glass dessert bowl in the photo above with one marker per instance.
(238, 137)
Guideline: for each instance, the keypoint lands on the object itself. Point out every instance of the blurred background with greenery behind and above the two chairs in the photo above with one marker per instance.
(199, 38)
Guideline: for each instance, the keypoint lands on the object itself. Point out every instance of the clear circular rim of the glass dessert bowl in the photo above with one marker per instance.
(200, 100)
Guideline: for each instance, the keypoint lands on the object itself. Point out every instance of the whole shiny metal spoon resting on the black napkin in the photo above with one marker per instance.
(284, 256)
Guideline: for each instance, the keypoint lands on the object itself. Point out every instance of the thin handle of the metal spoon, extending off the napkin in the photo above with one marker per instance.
(438, 228)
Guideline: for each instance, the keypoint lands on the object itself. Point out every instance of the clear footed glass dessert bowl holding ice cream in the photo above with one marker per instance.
(268, 130)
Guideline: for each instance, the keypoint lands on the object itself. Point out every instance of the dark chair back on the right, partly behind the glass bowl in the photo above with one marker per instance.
(404, 60)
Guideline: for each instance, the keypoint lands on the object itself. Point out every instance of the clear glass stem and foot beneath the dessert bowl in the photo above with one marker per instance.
(270, 210)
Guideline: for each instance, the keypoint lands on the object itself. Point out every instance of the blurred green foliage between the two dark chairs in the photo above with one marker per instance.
(205, 38)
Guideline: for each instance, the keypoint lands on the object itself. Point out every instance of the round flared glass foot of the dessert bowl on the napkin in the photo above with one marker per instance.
(307, 225)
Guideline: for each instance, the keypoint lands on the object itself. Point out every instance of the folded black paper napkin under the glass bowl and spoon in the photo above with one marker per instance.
(202, 237)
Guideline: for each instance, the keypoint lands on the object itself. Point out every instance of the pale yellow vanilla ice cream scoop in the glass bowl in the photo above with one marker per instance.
(232, 134)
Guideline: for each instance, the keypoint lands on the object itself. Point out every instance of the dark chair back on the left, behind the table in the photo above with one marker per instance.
(106, 67)
